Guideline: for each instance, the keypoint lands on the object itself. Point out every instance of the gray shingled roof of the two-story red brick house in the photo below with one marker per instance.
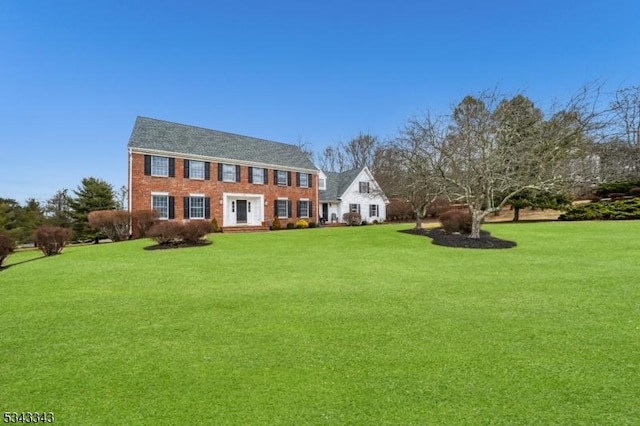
(158, 135)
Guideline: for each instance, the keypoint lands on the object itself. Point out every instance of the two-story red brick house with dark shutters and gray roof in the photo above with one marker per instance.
(191, 173)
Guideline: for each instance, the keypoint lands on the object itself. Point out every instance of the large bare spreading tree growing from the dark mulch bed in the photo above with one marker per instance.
(493, 148)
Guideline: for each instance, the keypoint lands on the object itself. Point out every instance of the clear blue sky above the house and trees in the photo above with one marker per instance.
(75, 74)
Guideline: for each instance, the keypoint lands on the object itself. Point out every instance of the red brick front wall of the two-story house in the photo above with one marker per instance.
(142, 186)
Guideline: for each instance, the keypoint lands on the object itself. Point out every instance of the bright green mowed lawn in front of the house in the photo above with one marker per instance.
(361, 325)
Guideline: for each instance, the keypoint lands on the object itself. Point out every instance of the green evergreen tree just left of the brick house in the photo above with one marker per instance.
(92, 194)
